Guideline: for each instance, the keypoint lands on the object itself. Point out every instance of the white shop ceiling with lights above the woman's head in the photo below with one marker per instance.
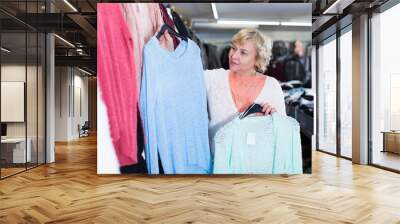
(207, 29)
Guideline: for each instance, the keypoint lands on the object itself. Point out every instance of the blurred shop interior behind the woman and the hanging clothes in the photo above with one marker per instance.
(215, 39)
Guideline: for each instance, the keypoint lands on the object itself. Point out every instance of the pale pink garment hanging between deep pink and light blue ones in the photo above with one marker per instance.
(144, 20)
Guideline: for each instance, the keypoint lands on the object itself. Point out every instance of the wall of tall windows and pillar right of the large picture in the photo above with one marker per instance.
(335, 51)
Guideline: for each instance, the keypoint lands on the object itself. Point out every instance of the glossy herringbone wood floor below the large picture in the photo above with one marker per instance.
(70, 191)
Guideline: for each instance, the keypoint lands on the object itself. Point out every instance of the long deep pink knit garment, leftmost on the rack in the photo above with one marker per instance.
(116, 75)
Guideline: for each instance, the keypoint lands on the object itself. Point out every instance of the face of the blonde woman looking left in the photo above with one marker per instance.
(242, 58)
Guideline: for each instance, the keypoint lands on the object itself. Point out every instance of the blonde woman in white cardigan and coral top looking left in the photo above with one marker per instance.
(230, 92)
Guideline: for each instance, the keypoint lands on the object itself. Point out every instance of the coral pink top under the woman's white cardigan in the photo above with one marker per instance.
(245, 89)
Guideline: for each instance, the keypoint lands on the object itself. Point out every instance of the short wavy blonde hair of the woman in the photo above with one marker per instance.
(262, 42)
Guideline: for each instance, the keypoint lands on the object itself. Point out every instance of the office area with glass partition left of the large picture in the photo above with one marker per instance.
(28, 101)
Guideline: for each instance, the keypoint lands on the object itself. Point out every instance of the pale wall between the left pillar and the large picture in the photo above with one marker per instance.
(70, 83)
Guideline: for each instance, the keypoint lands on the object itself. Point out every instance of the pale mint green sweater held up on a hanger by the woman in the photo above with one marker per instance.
(259, 145)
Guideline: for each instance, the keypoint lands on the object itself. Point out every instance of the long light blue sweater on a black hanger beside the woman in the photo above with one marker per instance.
(173, 103)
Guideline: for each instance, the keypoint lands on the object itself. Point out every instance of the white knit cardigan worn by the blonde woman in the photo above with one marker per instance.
(221, 105)
